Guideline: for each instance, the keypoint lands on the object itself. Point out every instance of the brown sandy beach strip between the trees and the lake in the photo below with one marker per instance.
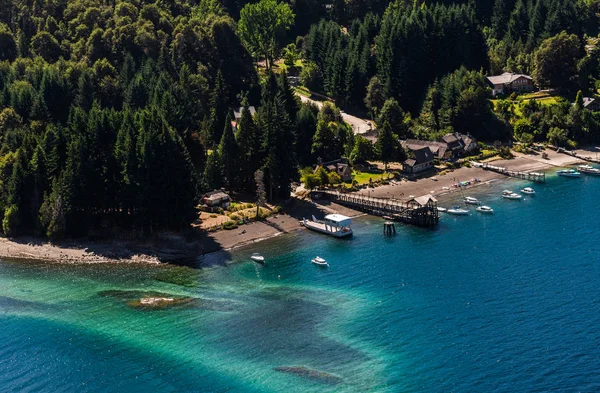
(174, 248)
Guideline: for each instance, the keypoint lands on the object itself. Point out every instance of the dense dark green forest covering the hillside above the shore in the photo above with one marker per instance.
(119, 116)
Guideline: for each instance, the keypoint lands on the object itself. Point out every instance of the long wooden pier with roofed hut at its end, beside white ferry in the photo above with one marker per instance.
(420, 211)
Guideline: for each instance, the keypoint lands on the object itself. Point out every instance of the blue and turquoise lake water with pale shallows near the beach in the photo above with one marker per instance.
(502, 303)
